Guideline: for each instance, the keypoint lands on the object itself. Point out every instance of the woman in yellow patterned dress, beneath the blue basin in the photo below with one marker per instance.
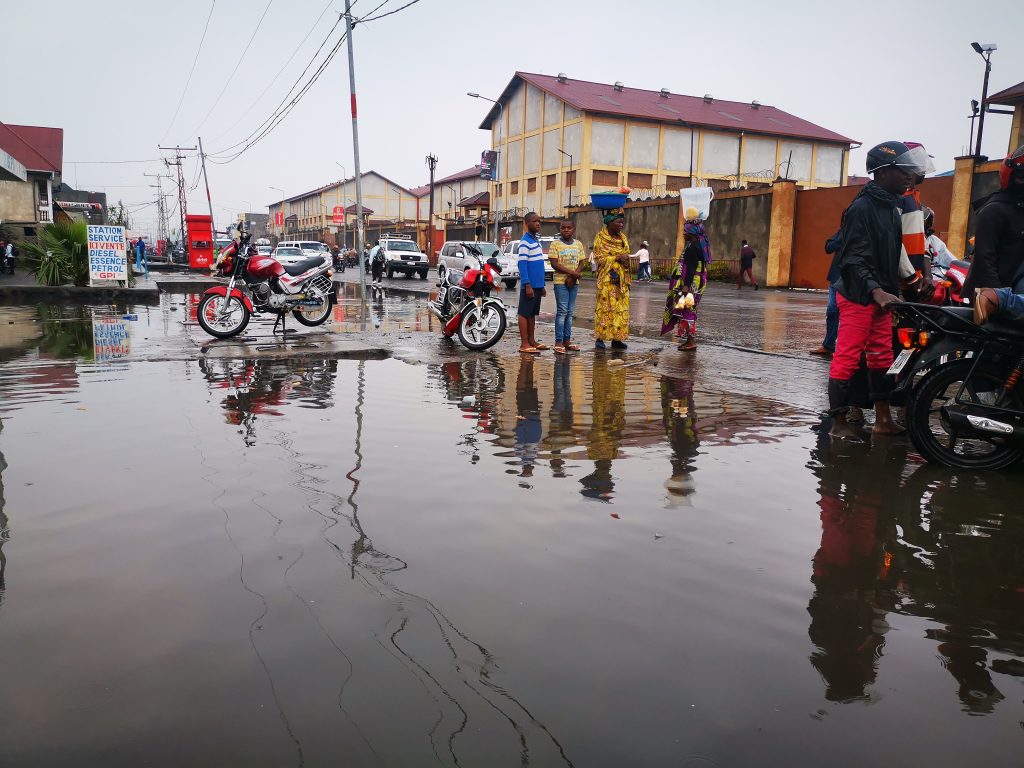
(612, 305)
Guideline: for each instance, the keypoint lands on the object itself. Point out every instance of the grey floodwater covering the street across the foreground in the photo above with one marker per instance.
(494, 561)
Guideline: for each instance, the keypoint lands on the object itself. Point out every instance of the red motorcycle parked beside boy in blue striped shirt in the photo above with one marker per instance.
(465, 306)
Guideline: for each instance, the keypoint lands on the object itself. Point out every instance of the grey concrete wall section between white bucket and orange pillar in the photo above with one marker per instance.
(738, 217)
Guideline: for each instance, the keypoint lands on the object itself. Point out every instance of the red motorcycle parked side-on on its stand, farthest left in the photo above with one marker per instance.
(262, 284)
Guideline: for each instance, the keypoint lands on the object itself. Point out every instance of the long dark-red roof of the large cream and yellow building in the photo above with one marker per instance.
(647, 105)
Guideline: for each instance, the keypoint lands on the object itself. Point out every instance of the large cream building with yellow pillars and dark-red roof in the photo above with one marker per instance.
(561, 139)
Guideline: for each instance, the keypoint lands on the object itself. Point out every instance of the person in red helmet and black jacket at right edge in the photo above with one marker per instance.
(999, 250)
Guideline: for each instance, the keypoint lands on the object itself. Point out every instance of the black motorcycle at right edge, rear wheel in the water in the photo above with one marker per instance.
(965, 399)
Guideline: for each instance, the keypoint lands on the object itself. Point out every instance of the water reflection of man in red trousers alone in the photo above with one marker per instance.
(847, 622)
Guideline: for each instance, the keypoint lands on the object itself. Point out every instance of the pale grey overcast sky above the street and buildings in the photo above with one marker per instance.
(111, 73)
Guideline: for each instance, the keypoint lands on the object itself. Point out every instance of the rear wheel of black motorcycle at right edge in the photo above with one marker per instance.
(934, 437)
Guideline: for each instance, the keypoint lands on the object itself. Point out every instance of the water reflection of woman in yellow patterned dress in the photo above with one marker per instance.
(609, 421)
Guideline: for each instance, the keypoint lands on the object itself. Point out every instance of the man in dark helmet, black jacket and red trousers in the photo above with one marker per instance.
(869, 263)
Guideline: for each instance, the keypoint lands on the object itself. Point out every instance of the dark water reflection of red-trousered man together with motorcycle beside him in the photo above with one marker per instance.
(908, 540)
